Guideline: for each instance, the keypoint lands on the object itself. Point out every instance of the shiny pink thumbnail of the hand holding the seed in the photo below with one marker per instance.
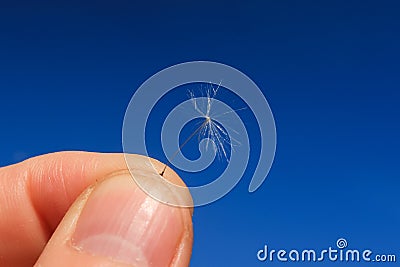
(121, 222)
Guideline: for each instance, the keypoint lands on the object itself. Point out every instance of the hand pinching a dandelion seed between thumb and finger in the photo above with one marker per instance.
(84, 209)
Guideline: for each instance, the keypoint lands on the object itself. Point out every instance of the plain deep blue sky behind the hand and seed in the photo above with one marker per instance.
(329, 69)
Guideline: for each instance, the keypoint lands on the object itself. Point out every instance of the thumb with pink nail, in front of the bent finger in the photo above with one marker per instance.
(114, 223)
